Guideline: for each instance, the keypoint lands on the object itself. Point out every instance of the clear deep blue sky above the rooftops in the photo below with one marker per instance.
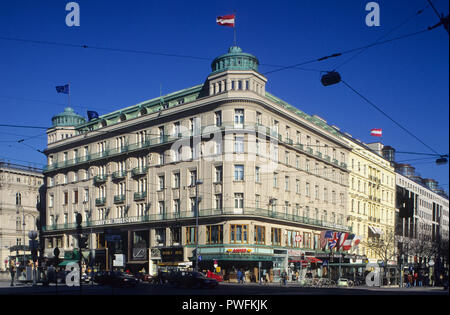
(406, 78)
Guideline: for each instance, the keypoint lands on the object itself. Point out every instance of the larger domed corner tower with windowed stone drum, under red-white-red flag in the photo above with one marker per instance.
(236, 71)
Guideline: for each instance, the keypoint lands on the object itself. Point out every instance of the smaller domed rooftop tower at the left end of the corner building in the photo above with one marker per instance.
(63, 125)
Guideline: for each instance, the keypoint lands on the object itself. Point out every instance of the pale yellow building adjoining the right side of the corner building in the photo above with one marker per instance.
(371, 200)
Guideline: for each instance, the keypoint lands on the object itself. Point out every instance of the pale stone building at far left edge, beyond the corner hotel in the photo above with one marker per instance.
(19, 208)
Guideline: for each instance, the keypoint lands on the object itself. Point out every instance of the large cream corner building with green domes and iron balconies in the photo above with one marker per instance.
(268, 177)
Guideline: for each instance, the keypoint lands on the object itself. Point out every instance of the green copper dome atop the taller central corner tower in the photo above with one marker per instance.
(235, 59)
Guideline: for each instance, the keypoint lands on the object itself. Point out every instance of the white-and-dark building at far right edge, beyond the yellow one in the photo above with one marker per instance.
(422, 220)
